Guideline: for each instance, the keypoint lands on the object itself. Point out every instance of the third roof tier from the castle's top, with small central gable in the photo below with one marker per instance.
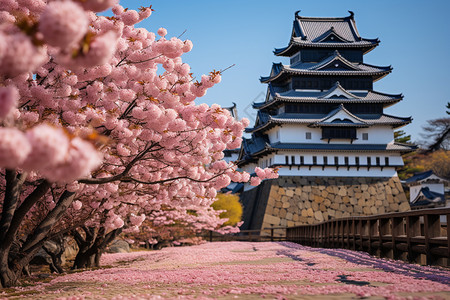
(336, 94)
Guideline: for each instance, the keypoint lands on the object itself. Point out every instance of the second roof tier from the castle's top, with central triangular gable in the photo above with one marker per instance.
(334, 65)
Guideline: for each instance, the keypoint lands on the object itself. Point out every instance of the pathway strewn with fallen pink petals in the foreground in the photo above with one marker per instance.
(244, 270)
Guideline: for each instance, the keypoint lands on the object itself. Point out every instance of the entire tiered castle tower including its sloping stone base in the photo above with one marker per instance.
(324, 127)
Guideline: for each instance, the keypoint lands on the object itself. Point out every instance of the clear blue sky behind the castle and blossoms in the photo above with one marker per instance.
(414, 35)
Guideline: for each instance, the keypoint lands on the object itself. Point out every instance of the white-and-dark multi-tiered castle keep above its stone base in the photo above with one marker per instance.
(321, 116)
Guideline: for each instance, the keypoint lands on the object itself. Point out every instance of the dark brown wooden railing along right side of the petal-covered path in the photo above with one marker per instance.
(419, 236)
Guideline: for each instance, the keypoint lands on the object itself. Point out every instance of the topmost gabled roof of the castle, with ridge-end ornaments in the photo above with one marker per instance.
(325, 32)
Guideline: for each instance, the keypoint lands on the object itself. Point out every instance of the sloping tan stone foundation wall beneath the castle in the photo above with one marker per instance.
(290, 201)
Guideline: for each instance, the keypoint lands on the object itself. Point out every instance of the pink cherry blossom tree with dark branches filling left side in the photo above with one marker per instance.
(99, 128)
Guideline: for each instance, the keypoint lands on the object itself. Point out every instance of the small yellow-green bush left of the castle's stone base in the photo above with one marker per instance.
(231, 206)
